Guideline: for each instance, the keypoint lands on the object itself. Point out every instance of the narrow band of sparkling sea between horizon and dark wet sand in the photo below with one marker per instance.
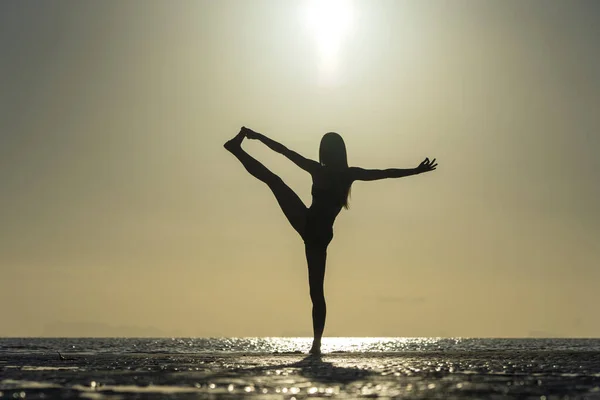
(285, 344)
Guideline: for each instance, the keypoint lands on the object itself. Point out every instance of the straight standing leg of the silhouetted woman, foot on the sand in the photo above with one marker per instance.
(316, 257)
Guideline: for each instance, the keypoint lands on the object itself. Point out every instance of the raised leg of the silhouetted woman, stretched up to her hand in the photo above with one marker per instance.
(291, 205)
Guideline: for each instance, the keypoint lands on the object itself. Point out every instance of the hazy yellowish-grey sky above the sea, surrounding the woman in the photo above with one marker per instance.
(122, 214)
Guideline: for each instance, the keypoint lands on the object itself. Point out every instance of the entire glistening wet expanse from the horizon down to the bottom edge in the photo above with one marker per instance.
(271, 368)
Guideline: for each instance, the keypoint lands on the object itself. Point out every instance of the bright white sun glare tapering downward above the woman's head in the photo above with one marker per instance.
(330, 21)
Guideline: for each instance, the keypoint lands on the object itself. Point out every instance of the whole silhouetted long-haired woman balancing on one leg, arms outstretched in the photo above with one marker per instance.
(332, 179)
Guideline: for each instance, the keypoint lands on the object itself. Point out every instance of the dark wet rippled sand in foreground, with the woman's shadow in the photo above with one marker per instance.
(418, 375)
